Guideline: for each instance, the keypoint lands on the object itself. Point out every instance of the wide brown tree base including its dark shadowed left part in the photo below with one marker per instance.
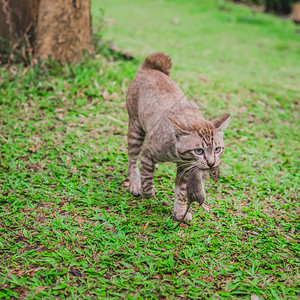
(60, 29)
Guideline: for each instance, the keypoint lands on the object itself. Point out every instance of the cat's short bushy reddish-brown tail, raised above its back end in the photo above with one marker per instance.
(158, 61)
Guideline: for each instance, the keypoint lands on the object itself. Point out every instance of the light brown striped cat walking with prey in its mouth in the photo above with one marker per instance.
(165, 127)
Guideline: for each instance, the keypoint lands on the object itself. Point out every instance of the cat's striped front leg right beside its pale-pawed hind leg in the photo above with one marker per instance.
(147, 172)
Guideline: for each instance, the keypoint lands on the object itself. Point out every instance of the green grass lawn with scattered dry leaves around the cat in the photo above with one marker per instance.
(70, 228)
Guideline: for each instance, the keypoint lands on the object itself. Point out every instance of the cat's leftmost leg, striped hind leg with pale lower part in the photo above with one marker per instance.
(135, 137)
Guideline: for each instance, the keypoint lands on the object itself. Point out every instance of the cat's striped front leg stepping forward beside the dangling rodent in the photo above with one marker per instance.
(181, 196)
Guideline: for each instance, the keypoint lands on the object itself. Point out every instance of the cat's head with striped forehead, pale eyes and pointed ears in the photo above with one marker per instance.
(200, 142)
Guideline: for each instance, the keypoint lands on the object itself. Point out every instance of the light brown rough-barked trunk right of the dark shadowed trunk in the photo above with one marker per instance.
(63, 30)
